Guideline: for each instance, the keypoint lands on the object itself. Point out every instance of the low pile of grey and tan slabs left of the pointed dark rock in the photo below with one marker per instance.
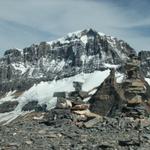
(72, 112)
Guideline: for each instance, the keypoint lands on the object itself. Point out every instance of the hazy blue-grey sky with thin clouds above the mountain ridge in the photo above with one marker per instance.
(24, 22)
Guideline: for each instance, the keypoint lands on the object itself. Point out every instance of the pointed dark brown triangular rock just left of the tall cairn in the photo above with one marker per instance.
(106, 101)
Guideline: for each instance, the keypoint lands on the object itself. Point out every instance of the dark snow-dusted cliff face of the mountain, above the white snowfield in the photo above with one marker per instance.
(83, 51)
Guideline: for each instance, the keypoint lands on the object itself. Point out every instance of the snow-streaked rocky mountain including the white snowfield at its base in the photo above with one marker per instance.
(29, 78)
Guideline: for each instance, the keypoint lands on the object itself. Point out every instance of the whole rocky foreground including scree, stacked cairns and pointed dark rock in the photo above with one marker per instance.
(75, 124)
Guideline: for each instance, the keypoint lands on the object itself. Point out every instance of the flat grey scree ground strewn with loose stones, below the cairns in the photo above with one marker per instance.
(62, 129)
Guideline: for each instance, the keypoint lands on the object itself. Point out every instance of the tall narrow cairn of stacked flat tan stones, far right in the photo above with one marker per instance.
(134, 88)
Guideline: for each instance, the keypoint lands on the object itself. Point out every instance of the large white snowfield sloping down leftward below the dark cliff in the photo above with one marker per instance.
(43, 92)
